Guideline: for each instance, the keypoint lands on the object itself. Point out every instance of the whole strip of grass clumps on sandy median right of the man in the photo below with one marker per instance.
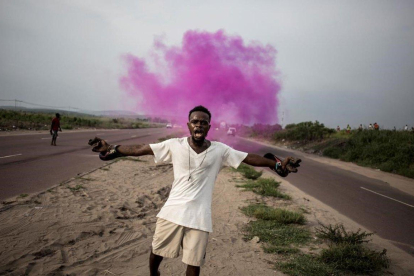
(284, 232)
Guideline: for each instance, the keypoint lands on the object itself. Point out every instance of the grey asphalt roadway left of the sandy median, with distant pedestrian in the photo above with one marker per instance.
(28, 163)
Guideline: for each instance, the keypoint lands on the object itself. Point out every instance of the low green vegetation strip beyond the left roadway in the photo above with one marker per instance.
(12, 120)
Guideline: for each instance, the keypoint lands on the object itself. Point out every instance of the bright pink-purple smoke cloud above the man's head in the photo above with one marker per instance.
(236, 82)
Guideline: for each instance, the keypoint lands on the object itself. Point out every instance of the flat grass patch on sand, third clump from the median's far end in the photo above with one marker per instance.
(278, 215)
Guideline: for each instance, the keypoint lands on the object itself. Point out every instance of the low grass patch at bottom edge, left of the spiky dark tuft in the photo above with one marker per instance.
(306, 265)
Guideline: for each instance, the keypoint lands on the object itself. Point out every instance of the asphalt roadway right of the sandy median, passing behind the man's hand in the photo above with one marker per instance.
(359, 198)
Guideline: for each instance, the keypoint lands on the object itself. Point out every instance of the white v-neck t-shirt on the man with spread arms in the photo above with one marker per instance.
(189, 203)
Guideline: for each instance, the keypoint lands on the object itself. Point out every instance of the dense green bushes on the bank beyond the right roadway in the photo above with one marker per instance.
(386, 150)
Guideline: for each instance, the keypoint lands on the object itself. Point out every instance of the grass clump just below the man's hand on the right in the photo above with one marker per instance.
(264, 187)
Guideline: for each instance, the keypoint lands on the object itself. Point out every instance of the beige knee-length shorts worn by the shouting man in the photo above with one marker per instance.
(169, 237)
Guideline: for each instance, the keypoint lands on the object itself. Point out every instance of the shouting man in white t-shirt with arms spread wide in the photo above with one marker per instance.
(185, 219)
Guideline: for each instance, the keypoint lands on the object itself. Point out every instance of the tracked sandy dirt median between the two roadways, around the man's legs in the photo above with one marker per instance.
(102, 223)
